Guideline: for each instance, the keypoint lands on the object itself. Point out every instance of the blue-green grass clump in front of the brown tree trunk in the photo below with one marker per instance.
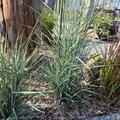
(14, 72)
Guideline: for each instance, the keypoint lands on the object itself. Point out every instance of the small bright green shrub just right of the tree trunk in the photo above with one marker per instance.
(47, 23)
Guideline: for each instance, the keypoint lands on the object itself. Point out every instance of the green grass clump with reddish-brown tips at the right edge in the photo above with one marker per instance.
(110, 76)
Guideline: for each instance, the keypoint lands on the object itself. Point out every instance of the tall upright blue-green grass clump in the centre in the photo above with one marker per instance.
(69, 50)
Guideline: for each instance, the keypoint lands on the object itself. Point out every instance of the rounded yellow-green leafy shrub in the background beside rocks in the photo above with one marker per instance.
(102, 22)
